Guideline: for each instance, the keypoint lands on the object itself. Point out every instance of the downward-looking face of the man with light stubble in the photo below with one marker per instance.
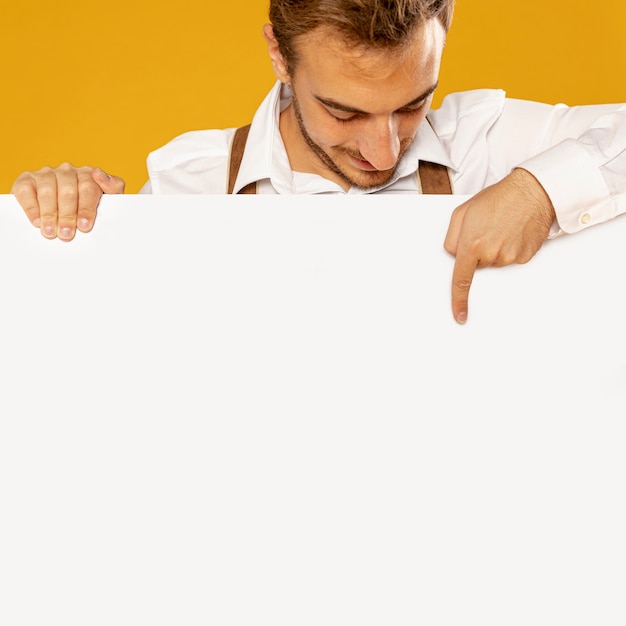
(356, 111)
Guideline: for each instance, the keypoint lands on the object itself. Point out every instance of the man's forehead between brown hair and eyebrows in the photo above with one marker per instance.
(368, 77)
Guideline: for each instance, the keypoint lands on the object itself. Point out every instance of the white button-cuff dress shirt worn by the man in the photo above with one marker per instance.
(577, 153)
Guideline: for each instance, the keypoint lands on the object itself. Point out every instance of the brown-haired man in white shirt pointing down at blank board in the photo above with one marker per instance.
(350, 114)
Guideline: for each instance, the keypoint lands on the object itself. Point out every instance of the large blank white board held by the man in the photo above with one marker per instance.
(250, 410)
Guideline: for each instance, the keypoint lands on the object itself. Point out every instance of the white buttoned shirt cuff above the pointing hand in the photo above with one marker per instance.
(575, 185)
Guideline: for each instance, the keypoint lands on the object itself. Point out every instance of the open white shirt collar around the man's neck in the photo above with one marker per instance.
(265, 157)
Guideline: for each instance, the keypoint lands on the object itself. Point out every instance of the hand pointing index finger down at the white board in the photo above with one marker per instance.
(504, 223)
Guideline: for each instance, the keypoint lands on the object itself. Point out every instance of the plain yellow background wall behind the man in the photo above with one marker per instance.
(105, 83)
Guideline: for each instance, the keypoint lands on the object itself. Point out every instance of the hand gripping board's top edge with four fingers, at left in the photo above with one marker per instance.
(59, 201)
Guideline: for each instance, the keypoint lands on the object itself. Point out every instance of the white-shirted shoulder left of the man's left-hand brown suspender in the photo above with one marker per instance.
(194, 162)
